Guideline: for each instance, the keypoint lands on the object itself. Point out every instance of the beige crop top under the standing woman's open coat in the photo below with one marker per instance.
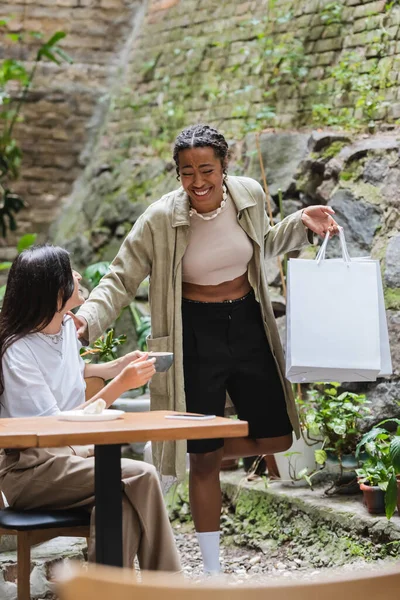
(219, 250)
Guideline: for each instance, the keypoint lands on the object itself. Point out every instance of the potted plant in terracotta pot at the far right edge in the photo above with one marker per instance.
(378, 475)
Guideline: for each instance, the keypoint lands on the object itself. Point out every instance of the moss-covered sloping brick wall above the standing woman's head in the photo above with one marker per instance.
(219, 60)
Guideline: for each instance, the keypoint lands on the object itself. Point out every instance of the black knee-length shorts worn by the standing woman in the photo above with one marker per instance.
(225, 349)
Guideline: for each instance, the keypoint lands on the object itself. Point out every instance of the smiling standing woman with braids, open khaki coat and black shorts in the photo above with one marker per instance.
(204, 247)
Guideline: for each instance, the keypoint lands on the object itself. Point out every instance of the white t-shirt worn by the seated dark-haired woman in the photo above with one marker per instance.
(42, 378)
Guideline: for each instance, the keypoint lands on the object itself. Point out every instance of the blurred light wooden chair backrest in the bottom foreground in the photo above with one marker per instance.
(102, 583)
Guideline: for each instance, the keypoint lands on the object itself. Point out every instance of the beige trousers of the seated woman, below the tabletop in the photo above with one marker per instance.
(64, 478)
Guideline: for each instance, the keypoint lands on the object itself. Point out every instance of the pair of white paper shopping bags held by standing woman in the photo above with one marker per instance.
(336, 321)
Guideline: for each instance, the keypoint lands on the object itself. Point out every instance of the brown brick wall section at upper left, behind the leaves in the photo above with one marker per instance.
(59, 112)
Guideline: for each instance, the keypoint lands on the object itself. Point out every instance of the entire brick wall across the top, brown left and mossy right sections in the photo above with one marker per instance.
(242, 65)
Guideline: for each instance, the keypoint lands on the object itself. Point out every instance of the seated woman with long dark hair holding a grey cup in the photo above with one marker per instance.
(41, 374)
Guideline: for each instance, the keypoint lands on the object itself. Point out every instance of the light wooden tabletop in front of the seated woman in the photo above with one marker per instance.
(132, 427)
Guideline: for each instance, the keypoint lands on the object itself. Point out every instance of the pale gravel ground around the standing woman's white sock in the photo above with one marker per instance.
(247, 564)
